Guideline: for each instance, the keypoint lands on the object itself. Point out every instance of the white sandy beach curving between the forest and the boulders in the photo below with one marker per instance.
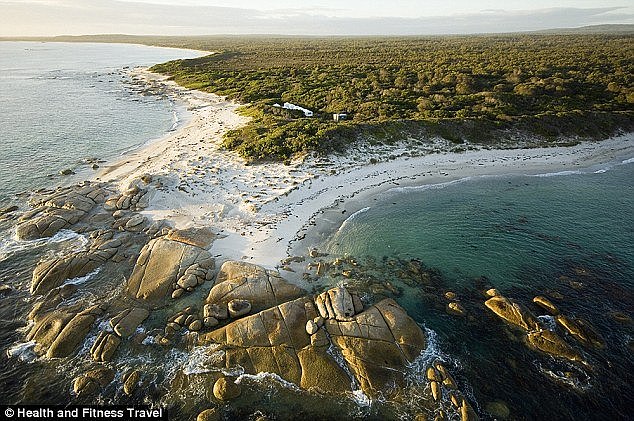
(262, 209)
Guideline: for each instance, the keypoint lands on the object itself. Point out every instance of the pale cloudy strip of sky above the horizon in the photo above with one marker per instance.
(302, 17)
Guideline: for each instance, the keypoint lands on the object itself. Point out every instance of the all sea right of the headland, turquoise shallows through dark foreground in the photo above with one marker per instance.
(569, 236)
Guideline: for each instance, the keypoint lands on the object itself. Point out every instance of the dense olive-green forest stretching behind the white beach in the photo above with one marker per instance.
(475, 88)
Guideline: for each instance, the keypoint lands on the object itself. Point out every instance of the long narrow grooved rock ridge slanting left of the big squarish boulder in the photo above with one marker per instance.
(52, 273)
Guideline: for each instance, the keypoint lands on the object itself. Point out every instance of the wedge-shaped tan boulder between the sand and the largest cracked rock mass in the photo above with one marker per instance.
(262, 288)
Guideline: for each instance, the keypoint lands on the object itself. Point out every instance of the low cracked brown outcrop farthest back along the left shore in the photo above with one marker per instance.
(59, 210)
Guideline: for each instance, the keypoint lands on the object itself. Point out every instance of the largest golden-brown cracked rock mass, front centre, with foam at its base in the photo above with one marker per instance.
(374, 345)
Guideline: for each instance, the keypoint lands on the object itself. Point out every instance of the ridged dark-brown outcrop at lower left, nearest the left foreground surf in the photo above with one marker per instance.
(59, 333)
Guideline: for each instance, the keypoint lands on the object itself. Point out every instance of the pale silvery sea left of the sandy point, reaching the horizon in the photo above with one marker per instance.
(64, 103)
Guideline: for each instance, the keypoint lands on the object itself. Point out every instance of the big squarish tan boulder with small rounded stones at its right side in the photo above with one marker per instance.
(161, 264)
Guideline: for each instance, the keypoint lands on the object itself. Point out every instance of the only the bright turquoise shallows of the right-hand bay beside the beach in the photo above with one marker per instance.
(500, 226)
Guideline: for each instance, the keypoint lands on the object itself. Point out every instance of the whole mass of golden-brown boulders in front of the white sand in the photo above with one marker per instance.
(164, 290)
